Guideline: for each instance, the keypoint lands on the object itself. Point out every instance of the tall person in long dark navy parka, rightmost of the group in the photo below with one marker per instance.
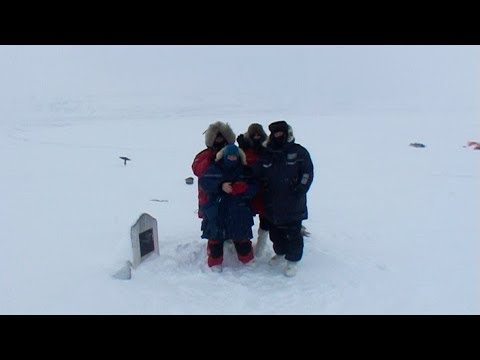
(285, 170)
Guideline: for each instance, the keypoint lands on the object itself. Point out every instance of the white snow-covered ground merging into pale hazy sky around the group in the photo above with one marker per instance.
(395, 229)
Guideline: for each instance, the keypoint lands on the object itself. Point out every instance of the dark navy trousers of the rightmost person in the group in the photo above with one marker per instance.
(287, 240)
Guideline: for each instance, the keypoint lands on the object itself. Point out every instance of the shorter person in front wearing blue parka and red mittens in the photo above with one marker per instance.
(230, 186)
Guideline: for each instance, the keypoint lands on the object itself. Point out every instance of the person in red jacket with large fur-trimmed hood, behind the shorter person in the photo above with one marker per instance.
(217, 135)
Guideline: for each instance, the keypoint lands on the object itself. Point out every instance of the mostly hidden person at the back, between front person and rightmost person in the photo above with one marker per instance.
(251, 143)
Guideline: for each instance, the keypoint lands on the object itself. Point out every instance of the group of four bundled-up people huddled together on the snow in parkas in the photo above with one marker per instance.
(268, 175)
